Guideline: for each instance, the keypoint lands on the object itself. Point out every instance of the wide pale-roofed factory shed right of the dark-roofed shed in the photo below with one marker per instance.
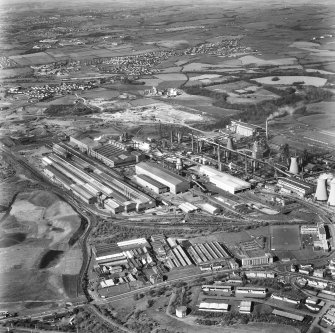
(224, 180)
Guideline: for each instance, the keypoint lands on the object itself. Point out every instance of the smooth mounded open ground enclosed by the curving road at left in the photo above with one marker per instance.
(36, 255)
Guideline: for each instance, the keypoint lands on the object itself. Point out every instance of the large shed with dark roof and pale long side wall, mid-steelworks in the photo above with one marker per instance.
(174, 182)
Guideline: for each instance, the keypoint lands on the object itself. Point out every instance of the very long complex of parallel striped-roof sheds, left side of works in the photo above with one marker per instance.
(91, 183)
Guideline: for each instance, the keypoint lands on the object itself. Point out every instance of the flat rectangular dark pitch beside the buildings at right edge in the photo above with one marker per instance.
(285, 237)
